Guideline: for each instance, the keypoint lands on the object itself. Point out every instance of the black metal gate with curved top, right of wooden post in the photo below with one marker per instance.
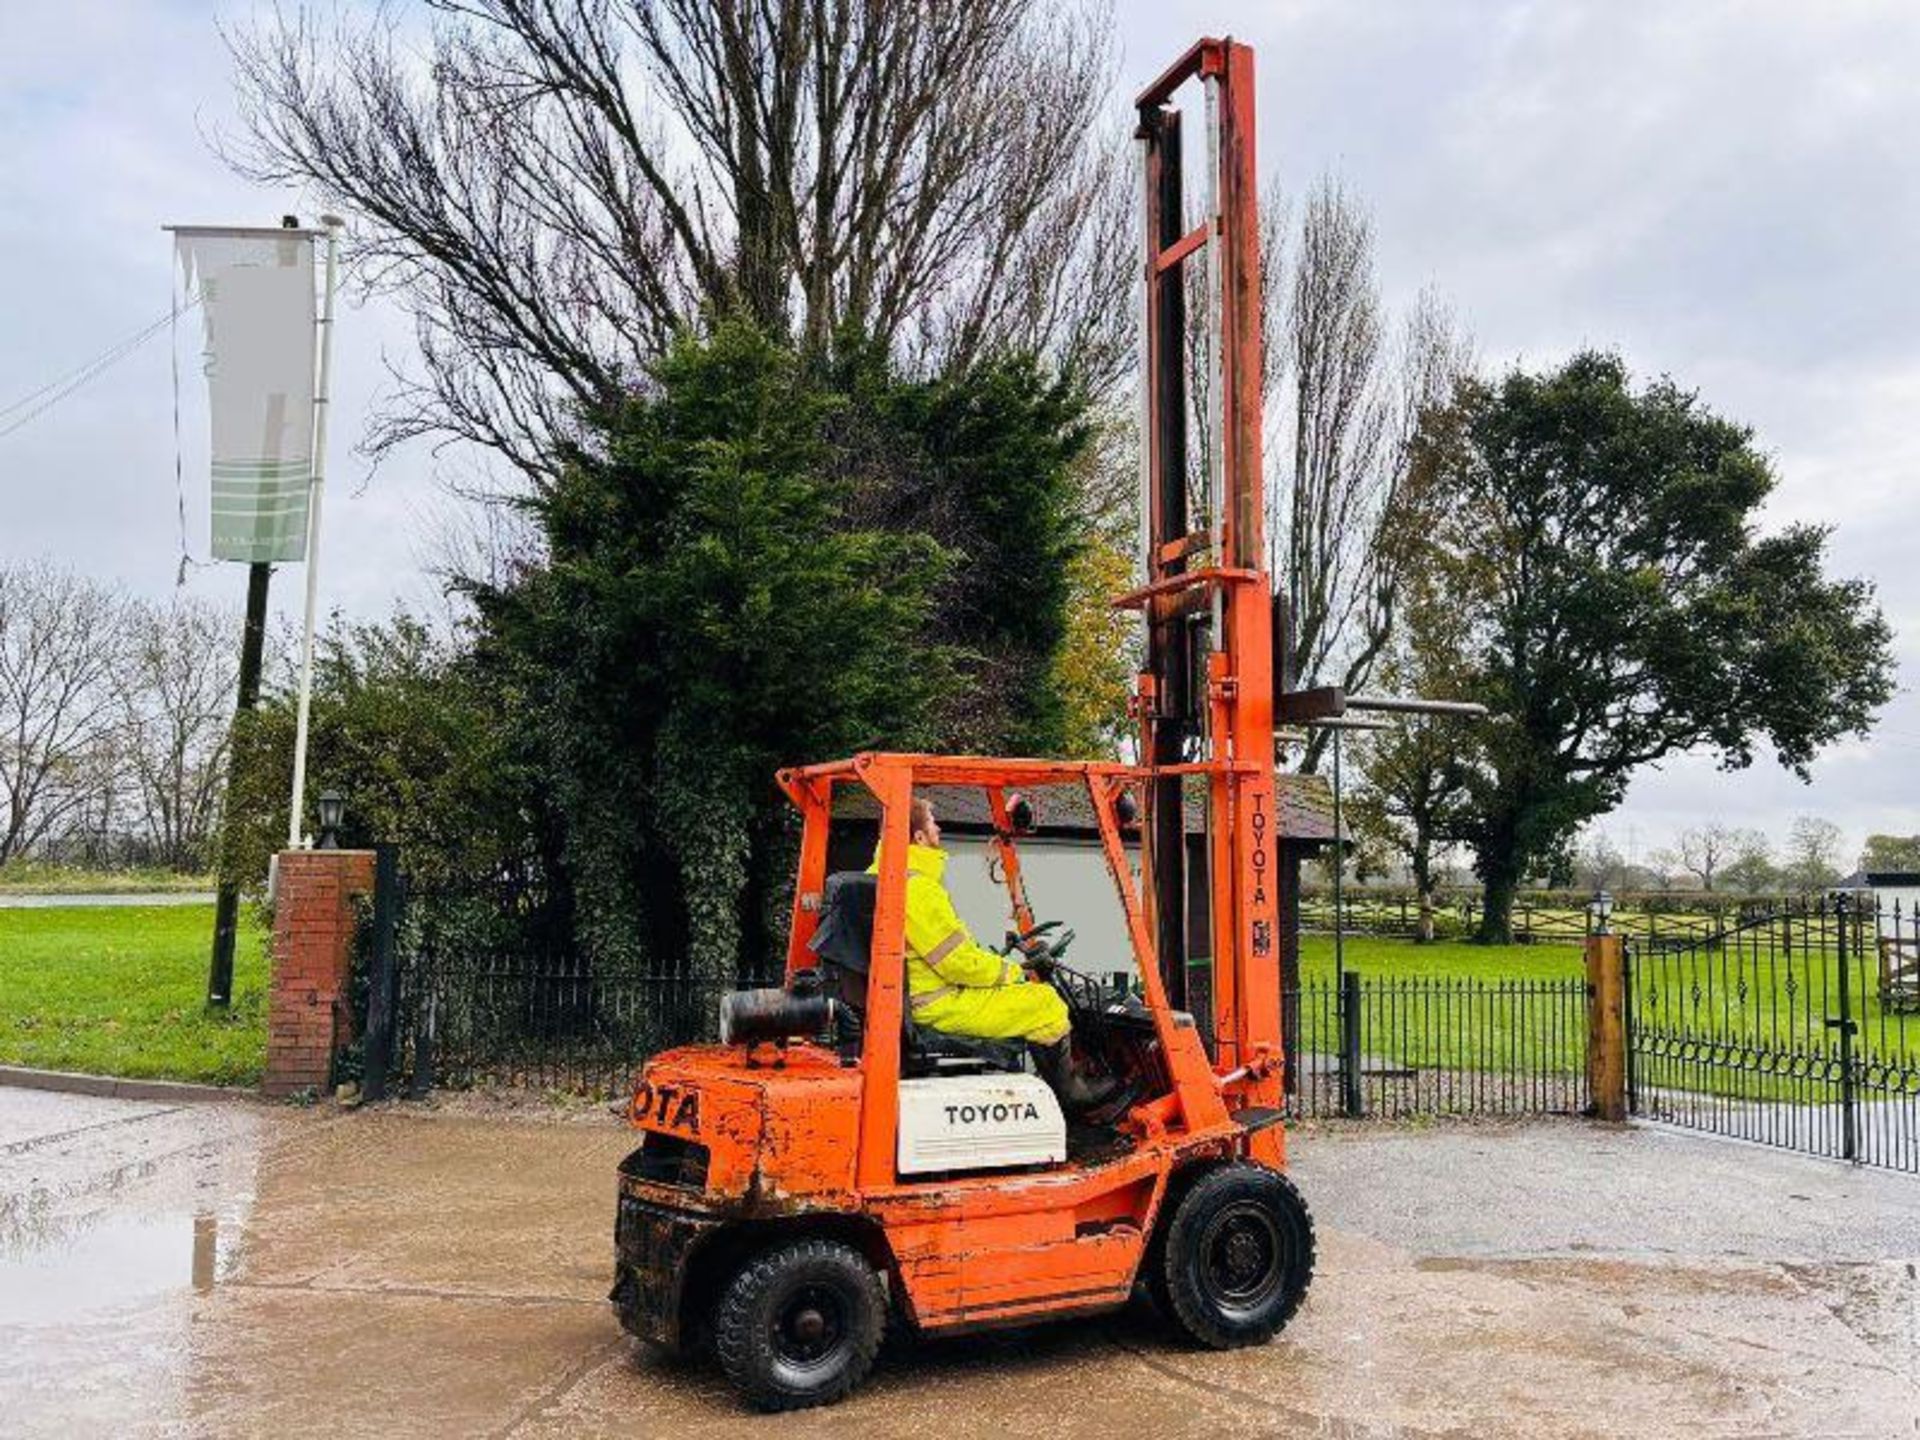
(1798, 1026)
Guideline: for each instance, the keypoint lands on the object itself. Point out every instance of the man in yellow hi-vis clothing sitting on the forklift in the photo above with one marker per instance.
(961, 988)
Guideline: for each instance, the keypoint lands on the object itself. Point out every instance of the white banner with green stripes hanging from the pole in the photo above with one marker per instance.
(256, 297)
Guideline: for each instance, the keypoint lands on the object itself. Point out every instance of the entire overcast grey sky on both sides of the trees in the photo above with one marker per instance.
(1725, 193)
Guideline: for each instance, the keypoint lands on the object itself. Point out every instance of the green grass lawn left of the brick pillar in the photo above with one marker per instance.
(122, 992)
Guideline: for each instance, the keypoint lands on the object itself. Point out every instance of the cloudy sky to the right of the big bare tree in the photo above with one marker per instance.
(1717, 191)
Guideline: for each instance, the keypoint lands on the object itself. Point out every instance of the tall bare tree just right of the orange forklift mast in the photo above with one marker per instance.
(1347, 391)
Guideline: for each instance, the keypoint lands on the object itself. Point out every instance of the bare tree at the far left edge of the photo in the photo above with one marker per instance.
(60, 640)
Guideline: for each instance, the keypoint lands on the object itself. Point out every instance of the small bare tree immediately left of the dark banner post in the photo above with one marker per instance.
(178, 700)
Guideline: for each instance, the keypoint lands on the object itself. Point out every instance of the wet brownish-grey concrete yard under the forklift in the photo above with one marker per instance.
(245, 1270)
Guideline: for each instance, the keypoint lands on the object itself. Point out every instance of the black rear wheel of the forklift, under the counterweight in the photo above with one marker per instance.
(800, 1324)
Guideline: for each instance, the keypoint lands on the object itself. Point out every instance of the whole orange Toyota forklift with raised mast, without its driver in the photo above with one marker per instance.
(830, 1168)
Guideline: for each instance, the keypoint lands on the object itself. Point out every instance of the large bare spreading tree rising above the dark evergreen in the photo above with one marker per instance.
(564, 185)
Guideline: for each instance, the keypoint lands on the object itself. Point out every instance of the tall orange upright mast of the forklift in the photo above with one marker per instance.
(1207, 700)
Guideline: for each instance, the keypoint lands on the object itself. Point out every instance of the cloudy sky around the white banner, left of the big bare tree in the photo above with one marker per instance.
(105, 114)
